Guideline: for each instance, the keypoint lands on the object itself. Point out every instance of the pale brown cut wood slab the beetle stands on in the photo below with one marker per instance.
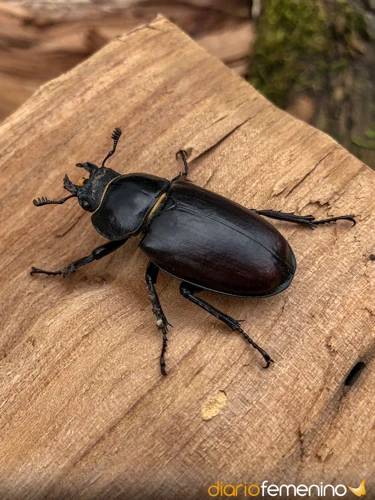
(84, 409)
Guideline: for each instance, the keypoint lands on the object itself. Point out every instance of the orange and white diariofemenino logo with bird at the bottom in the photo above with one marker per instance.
(242, 490)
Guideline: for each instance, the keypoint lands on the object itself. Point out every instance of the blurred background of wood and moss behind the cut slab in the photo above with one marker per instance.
(314, 58)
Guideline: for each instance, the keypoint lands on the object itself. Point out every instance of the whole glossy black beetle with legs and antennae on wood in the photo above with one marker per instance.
(206, 241)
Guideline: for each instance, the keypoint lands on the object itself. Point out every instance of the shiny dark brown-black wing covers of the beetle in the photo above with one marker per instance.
(210, 241)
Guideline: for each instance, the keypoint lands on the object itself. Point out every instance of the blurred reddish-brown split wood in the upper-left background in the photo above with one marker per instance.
(42, 41)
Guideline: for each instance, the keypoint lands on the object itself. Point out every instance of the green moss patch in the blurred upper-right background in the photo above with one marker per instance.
(296, 47)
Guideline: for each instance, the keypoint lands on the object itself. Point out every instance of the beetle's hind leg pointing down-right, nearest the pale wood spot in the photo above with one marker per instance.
(187, 290)
